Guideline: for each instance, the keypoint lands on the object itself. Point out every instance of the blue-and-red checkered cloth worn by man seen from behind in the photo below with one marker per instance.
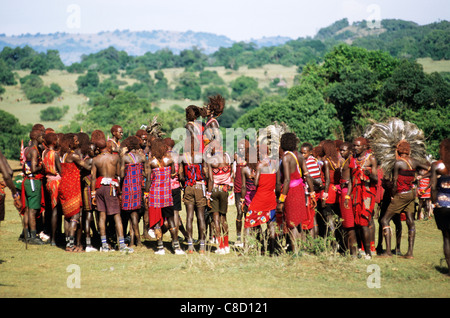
(132, 187)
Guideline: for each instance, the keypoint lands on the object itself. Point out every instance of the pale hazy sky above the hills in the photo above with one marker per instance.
(236, 19)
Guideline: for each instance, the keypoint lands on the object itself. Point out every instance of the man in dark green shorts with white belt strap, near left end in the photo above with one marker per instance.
(32, 191)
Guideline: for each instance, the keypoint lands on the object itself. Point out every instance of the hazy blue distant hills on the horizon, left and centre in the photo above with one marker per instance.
(72, 46)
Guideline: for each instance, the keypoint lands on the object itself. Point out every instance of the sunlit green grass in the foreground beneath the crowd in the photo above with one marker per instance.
(41, 271)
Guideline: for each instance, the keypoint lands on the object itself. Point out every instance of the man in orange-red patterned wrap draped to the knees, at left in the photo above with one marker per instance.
(69, 190)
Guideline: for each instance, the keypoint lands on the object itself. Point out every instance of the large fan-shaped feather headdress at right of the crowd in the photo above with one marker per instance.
(385, 137)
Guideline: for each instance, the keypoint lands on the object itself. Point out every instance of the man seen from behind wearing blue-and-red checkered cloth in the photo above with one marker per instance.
(132, 175)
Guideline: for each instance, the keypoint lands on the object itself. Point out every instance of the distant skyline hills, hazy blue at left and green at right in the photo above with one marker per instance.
(398, 37)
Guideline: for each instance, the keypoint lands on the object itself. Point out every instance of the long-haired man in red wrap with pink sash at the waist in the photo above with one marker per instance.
(292, 201)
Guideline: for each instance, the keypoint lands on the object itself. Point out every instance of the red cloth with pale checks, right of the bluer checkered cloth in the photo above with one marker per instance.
(160, 194)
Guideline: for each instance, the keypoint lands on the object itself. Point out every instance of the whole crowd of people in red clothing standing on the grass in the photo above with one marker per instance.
(98, 189)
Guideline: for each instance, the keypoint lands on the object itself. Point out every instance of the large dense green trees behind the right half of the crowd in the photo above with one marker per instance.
(351, 88)
